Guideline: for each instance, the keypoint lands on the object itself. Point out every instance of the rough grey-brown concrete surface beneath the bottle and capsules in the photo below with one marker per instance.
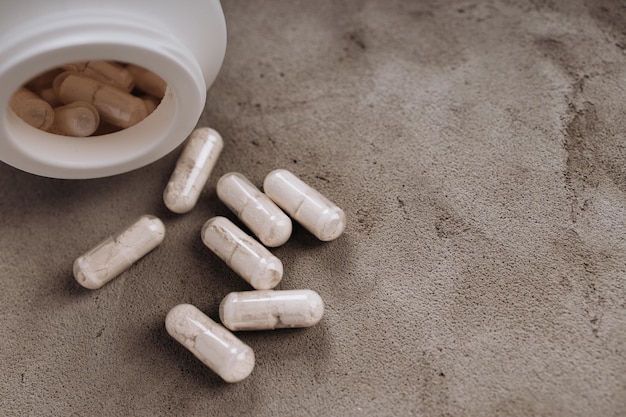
(477, 148)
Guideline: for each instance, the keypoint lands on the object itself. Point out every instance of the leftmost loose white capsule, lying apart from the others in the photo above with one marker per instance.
(117, 253)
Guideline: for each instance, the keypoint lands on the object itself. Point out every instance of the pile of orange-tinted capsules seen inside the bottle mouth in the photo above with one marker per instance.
(88, 98)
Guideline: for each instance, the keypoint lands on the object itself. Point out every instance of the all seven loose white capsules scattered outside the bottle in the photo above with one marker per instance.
(262, 213)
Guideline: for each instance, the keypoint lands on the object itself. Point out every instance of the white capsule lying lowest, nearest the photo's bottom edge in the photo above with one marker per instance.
(214, 345)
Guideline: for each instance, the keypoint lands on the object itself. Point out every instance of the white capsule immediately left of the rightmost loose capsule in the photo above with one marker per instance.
(264, 218)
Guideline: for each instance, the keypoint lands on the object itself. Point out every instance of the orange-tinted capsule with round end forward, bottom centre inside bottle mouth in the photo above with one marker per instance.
(77, 119)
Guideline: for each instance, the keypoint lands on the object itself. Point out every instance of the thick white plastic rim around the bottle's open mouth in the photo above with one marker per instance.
(42, 45)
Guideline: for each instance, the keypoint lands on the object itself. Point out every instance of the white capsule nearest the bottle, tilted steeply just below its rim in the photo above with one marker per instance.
(192, 170)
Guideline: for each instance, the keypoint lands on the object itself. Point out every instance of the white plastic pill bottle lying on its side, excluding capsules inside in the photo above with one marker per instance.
(182, 41)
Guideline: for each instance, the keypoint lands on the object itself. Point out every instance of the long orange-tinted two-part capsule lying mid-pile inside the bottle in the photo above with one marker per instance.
(115, 106)
